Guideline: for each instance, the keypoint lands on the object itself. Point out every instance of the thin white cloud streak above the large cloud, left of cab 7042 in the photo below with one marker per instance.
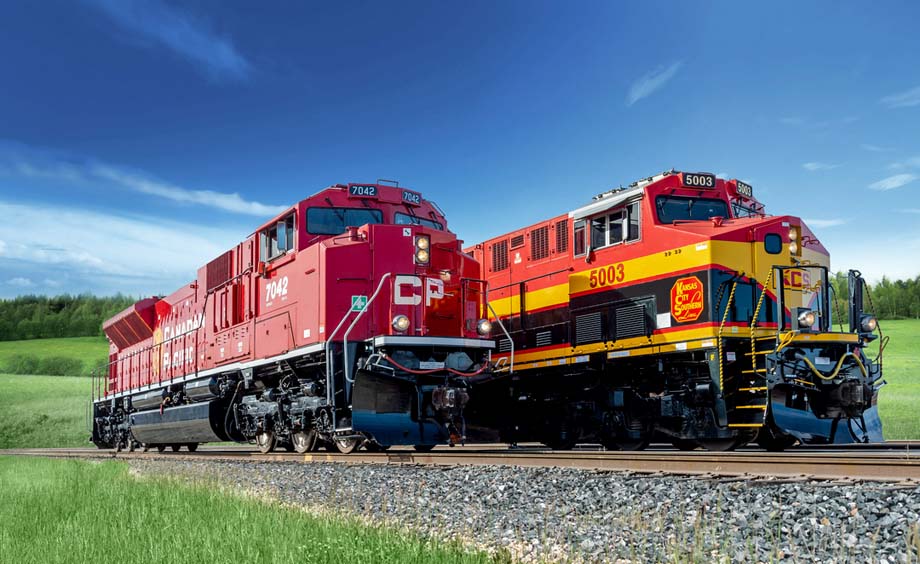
(227, 202)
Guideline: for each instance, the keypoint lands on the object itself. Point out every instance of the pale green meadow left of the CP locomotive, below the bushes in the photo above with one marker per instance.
(43, 411)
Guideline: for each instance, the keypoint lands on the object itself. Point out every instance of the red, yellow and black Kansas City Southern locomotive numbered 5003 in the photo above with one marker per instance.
(676, 309)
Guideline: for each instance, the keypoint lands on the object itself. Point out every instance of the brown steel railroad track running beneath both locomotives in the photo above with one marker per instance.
(890, 462)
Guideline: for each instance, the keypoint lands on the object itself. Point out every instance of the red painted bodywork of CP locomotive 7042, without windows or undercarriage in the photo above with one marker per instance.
(247, 305)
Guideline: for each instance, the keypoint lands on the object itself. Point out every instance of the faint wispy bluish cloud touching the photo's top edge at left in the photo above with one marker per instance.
(171, 27)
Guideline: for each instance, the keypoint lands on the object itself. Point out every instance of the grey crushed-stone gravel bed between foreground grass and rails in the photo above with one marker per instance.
(539, 514)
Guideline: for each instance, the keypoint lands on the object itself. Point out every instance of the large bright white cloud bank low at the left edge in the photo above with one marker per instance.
(161, 254)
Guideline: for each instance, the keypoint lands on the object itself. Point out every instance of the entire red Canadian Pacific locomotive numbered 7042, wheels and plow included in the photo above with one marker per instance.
(351, 318)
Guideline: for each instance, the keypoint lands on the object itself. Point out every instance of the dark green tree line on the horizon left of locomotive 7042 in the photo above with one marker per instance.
(42, 317)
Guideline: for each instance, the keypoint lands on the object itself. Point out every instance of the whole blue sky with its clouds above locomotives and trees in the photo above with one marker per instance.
(138, 140)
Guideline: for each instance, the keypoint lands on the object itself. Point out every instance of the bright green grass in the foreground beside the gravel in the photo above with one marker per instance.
(61, 511)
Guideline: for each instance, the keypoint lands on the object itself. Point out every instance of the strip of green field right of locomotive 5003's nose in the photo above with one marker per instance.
(899, 401)
